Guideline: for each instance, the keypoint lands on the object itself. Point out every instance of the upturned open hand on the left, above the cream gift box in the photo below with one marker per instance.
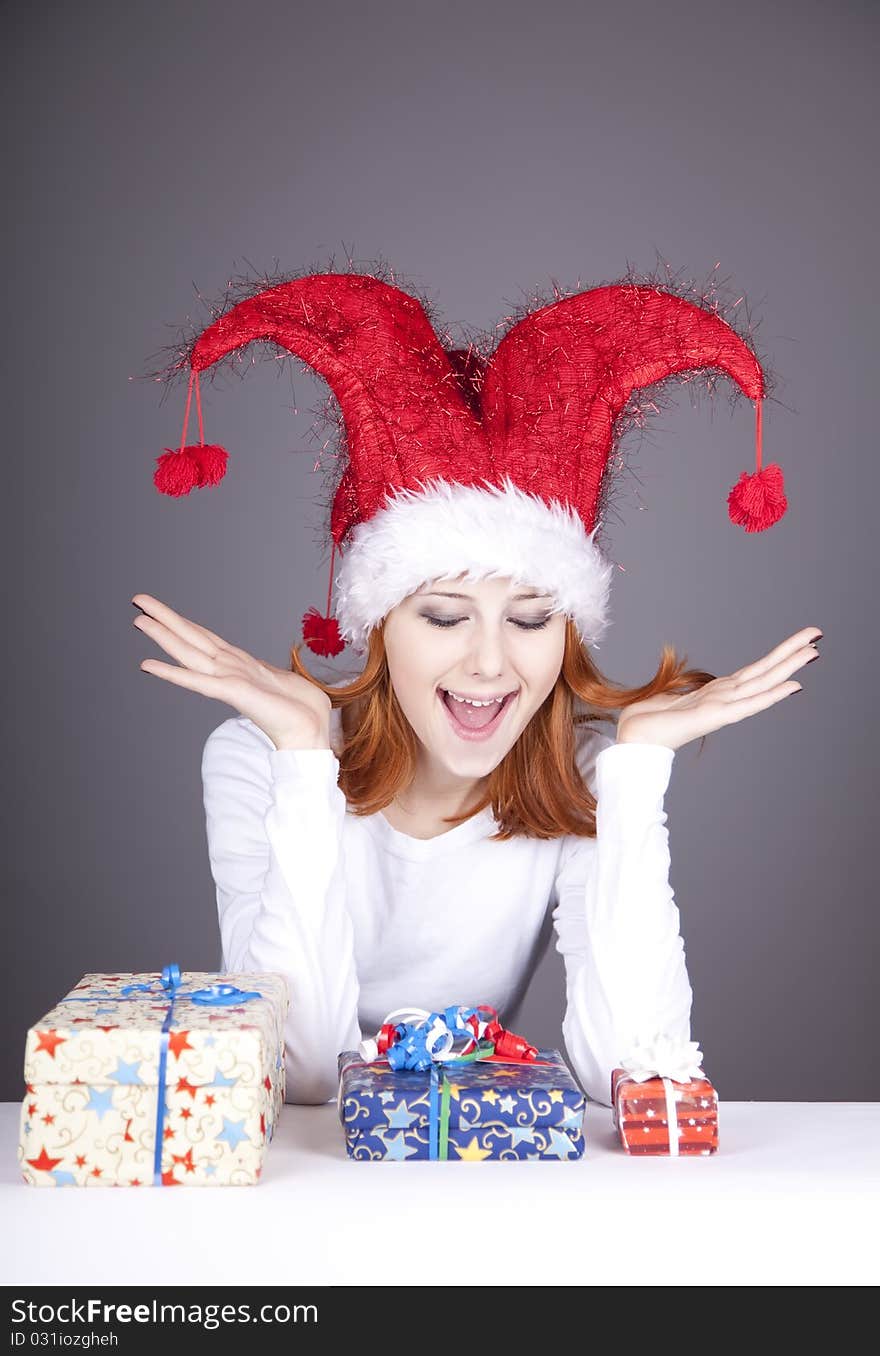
(292, 711)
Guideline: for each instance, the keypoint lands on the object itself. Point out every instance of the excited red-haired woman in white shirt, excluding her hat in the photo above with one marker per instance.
(407, 893)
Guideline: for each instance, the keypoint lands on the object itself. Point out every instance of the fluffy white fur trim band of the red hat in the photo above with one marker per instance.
(449, 530)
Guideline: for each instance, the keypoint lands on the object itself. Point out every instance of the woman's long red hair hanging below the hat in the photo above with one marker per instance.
(536, 790)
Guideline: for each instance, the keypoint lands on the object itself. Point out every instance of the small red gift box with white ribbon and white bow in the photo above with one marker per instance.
(662, 1102)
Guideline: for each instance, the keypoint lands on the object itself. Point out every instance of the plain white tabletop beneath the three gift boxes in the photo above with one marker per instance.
(791, 1198)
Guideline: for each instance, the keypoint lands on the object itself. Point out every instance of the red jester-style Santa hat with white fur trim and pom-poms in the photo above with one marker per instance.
(455, 462)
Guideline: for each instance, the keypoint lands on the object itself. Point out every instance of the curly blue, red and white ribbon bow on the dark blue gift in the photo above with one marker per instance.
(416, 1039)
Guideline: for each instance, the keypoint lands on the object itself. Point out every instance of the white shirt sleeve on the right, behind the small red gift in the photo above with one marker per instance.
(616, 920)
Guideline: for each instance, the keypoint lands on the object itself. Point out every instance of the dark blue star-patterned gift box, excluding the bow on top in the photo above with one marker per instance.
(478, 1111)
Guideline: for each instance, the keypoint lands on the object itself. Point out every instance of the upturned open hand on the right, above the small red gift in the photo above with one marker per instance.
(675, 721)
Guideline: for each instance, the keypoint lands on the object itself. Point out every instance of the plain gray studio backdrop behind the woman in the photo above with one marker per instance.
(483, 150)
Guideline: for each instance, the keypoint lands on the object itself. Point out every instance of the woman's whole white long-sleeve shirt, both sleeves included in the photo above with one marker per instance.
(363, 919)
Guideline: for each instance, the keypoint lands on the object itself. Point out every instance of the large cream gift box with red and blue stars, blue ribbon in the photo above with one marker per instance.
(155, 1080)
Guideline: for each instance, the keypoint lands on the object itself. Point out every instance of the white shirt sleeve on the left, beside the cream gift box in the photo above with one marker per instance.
(275, 824)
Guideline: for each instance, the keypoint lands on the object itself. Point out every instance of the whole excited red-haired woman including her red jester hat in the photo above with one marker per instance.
(418, 836)
